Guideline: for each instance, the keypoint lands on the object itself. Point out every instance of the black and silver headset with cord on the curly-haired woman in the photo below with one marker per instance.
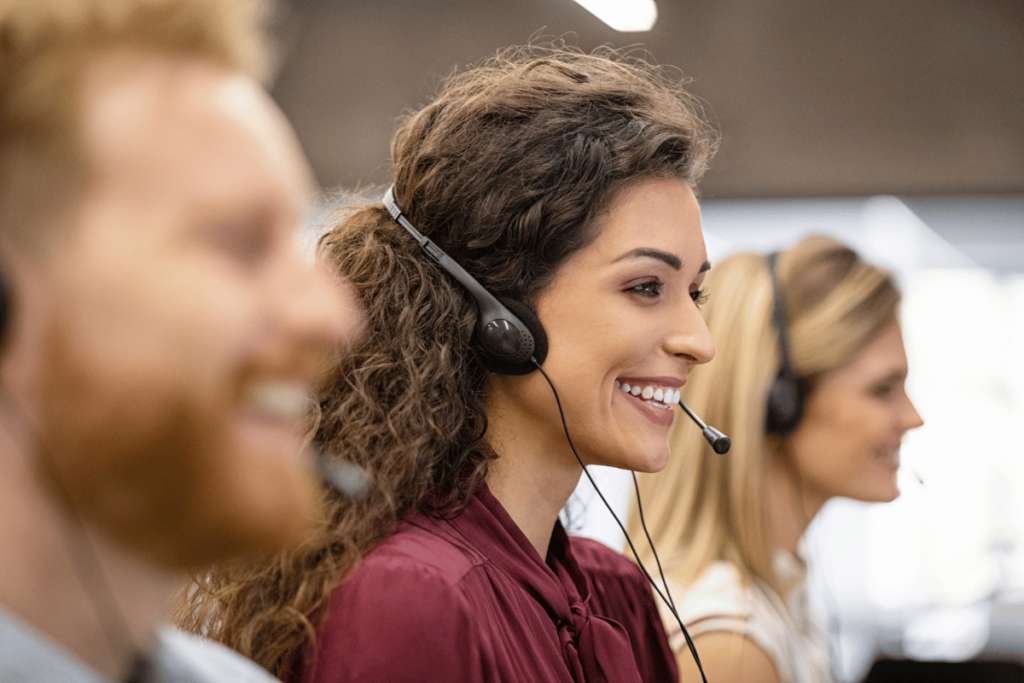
(510, 340)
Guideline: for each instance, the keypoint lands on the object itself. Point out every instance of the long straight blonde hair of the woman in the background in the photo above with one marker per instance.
(705, 506)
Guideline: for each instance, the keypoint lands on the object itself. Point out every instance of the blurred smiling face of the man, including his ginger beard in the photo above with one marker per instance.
(185, 324)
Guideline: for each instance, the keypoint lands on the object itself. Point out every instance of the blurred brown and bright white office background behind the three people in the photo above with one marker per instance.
(898, 126)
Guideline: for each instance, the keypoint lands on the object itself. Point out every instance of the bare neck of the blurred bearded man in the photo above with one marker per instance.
(98, 601)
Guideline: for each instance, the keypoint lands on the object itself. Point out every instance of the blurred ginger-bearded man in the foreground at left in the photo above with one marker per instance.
(163, 329)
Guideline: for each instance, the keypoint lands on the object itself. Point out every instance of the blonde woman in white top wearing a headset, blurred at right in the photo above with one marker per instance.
(809, 383)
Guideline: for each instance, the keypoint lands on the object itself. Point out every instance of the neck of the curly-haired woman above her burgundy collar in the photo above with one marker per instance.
(533, 479)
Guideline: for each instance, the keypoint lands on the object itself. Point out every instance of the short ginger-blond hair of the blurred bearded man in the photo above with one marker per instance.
(47, 48)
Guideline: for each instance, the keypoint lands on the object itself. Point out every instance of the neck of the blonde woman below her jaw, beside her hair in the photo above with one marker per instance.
(792, 504)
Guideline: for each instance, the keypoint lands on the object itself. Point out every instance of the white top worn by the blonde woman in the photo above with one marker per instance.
(786, 629)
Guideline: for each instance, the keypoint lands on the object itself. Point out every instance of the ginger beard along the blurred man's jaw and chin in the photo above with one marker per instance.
(161, 468)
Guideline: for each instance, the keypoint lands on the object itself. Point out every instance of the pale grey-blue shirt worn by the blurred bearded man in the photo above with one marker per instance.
(29, 657)
